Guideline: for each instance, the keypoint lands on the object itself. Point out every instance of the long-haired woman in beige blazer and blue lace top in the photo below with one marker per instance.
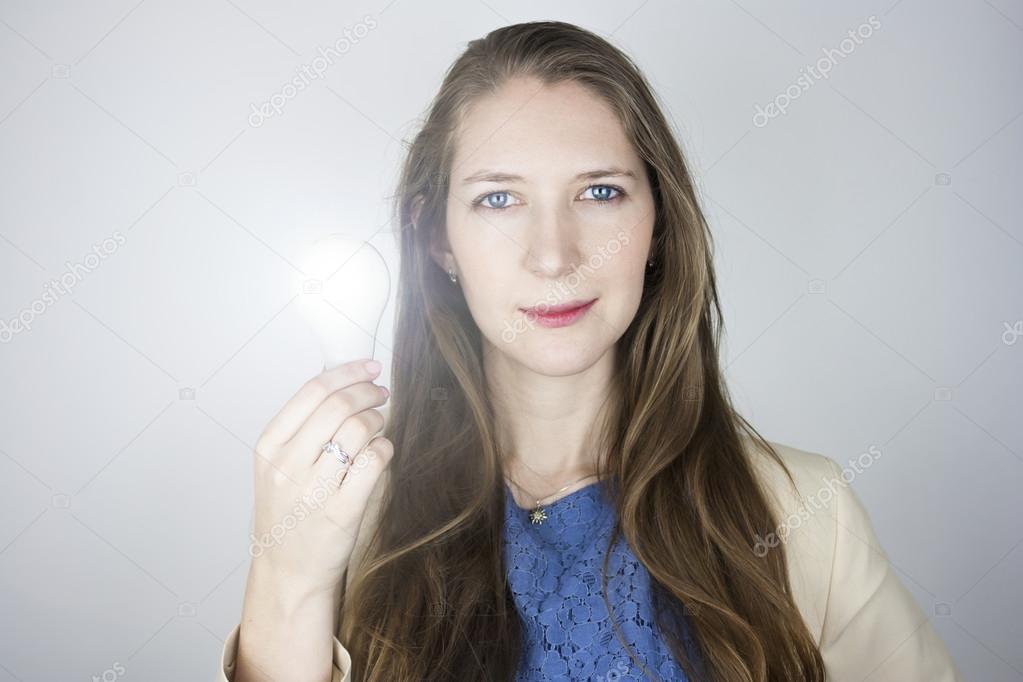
(562, 494)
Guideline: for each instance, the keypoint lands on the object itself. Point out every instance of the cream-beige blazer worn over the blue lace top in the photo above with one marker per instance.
(868, 625)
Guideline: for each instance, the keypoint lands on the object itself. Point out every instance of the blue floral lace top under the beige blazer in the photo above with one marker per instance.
(554, 572)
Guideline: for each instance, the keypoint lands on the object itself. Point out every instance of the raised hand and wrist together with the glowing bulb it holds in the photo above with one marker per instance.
(299, 560)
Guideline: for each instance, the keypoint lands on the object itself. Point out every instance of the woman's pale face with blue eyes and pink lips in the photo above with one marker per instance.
(549, 205)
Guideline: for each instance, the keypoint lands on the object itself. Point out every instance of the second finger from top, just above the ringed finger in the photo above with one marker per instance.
(305, 448)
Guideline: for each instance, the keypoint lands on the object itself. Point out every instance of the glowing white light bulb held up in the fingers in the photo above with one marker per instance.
(343, 290)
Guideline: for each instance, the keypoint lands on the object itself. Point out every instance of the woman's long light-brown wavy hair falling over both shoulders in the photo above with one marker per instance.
(431, 601)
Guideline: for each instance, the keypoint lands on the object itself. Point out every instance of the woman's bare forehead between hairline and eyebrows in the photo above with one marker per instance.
(535, 129)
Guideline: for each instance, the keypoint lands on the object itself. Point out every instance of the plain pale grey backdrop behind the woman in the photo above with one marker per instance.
(870, 254)
